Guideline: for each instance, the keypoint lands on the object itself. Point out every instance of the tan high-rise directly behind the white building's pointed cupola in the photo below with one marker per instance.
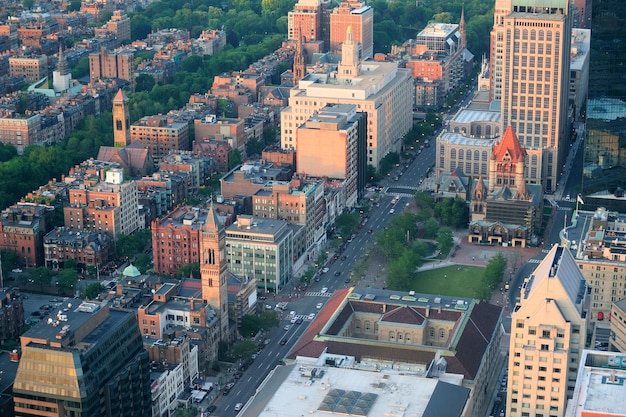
(360, 19)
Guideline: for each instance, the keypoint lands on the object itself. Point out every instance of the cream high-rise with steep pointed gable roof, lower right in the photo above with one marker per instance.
(548, 336)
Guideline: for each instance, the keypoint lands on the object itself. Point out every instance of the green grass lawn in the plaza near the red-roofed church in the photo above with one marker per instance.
(459, 281)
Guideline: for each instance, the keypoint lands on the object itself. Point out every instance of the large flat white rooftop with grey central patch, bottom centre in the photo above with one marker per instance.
(297, 390)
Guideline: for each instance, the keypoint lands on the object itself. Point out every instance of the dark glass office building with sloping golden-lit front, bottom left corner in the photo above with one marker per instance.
(87, 360)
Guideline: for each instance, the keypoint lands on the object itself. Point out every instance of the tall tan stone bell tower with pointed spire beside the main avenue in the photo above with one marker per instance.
(213, 268)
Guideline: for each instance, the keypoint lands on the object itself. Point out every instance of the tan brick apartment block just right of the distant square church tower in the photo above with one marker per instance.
(160, 135)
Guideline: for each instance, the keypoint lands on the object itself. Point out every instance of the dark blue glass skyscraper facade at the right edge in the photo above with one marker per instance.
(605, 142)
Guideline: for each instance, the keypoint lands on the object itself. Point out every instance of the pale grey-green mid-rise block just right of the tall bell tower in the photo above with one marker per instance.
(261, 249)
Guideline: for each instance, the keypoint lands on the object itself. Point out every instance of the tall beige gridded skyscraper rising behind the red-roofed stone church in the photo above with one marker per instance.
(530, 61)
